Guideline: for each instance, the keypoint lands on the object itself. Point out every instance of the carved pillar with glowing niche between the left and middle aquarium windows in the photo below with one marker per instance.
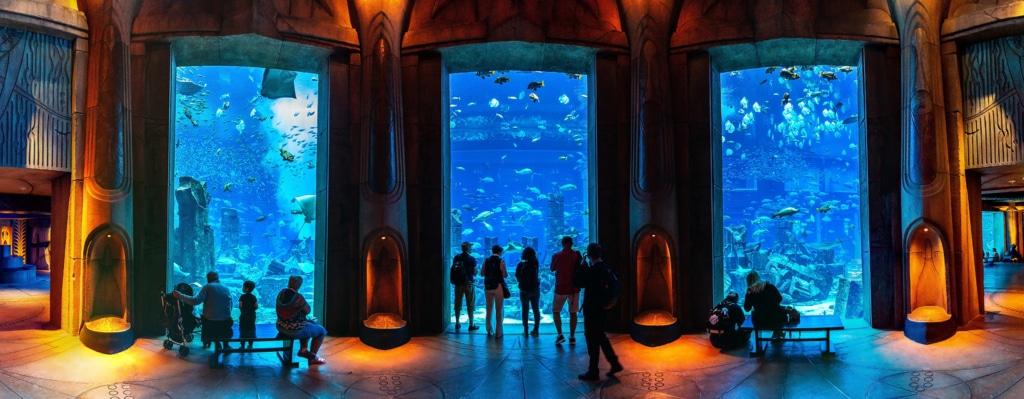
(382, 179)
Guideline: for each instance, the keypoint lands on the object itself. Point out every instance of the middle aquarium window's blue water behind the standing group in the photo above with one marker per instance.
(520, 168)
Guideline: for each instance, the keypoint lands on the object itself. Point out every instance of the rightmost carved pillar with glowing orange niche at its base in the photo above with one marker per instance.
(926, 191)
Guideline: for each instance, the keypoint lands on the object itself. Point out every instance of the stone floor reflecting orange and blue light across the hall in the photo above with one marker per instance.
(982, 363)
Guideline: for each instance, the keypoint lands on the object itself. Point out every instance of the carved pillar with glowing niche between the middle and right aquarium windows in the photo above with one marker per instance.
(653, 200)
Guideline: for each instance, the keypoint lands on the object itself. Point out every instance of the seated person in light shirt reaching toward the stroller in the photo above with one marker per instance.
(217, 300)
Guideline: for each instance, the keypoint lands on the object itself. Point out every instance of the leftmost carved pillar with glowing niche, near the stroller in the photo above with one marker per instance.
(107, 215)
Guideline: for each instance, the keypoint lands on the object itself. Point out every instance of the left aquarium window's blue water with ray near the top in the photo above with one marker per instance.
(245, 180)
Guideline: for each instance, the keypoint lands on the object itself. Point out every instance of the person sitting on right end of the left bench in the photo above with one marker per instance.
(294, 322)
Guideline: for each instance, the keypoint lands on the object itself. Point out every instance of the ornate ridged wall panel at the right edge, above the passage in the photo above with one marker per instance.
(994, 112)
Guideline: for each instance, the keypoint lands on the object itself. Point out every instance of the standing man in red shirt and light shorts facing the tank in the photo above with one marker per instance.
(565, 264)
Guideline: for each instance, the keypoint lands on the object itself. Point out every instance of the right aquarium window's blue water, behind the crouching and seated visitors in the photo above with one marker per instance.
(791, 183)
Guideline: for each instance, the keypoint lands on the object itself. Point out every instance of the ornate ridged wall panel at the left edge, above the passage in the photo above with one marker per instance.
(35, 101)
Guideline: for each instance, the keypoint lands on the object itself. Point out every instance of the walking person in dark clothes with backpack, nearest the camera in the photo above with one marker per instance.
(602, 287)
